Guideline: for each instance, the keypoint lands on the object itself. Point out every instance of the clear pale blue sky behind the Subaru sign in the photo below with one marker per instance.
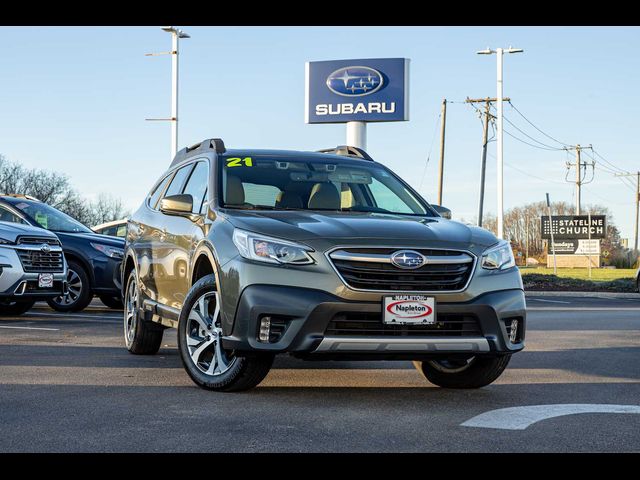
(74, 100)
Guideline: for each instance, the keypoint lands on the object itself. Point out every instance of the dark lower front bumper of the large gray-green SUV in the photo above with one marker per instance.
(307, 313)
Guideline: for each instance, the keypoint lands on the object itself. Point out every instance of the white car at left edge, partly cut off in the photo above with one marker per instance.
(32, 266)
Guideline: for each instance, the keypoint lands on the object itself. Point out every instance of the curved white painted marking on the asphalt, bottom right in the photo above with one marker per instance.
(519, 418)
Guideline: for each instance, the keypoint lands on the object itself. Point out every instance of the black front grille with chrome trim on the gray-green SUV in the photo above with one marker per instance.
(371, 269)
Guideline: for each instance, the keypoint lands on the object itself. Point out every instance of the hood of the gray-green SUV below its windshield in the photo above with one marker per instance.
(366, 228)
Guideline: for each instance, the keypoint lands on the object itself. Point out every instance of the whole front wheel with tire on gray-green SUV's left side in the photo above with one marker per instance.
(199, 341)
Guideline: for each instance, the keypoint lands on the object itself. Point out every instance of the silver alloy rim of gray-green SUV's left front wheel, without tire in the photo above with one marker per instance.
(204, 334)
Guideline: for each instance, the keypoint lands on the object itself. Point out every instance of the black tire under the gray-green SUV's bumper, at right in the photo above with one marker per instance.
(473, 372)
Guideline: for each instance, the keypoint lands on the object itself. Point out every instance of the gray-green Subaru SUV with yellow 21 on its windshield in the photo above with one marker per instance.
(322, 255)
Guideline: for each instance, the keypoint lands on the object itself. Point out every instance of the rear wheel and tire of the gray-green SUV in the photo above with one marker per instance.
(141, 337)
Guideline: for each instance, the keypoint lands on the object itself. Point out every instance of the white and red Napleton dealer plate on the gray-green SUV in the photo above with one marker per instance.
(409, 310)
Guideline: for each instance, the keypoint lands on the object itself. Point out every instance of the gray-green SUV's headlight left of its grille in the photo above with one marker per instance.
(253, 246)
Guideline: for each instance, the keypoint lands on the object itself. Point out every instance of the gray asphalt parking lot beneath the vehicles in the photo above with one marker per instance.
(67, 384)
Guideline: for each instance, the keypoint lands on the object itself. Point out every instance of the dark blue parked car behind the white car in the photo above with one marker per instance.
(93, 260)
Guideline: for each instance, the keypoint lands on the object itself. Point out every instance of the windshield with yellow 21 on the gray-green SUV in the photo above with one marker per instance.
(284, 184)
